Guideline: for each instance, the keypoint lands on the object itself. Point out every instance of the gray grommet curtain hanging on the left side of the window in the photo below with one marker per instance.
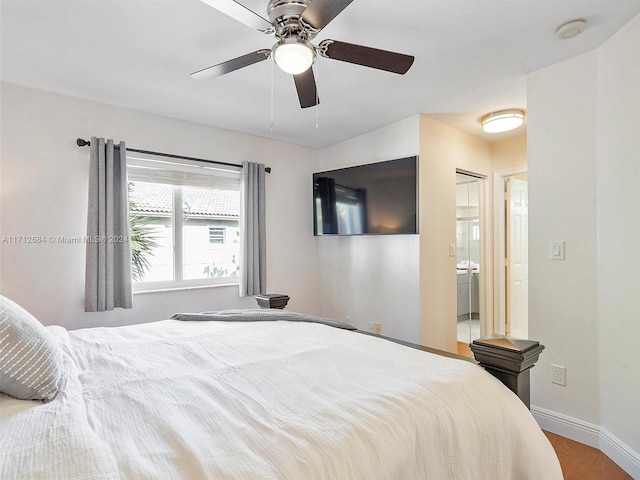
(108, 266)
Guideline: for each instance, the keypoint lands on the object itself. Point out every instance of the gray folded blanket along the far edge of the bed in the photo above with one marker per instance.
(259, 315)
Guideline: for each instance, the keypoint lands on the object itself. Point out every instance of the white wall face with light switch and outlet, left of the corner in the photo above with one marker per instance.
(562, 206)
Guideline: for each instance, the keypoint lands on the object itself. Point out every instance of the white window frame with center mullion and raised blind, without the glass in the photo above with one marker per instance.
(146, 168)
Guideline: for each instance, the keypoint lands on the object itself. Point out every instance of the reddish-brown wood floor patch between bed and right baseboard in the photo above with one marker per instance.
(581, 462)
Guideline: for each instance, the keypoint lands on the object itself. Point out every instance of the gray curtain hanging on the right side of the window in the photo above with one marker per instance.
(253, 253)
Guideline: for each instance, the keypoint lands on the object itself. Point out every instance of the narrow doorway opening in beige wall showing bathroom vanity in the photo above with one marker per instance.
(468, 255)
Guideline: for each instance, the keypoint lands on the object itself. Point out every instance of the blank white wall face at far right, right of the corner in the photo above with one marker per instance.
(618, 173)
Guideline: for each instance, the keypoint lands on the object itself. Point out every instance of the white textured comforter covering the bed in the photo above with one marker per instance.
(267, 400)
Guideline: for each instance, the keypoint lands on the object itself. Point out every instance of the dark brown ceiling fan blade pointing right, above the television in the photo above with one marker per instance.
(366, 56)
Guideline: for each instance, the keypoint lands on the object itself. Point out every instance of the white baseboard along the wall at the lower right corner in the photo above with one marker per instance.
(592, 435)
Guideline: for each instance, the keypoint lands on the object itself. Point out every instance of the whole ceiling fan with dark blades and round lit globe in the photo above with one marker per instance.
(295, 23)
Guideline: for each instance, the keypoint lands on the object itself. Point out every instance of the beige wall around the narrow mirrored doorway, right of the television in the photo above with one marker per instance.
(443, 150)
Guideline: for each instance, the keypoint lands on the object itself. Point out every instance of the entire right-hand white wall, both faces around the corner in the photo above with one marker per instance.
(583, 144)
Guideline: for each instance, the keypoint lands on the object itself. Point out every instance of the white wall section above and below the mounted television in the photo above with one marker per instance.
(372, 278)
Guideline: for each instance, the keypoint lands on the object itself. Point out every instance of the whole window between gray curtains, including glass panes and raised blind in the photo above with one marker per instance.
(185, 224)
